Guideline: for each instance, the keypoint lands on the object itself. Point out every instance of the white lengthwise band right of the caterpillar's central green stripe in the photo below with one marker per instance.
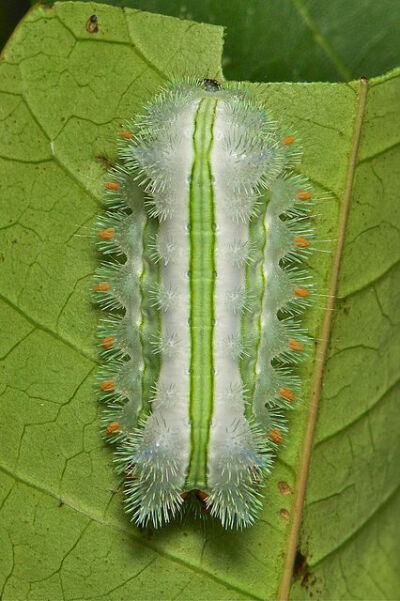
(230, 431)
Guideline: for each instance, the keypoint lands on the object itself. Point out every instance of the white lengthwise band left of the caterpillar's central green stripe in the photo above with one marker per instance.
(168, 427)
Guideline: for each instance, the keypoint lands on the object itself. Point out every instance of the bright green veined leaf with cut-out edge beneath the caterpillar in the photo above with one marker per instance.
(64, 92)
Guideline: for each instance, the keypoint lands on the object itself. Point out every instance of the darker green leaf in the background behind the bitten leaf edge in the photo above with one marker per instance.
(296, 40)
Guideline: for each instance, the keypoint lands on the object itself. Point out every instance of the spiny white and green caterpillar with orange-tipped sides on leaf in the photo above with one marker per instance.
(203, 280)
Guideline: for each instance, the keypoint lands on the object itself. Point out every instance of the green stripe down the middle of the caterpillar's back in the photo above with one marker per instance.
(202, 284)
